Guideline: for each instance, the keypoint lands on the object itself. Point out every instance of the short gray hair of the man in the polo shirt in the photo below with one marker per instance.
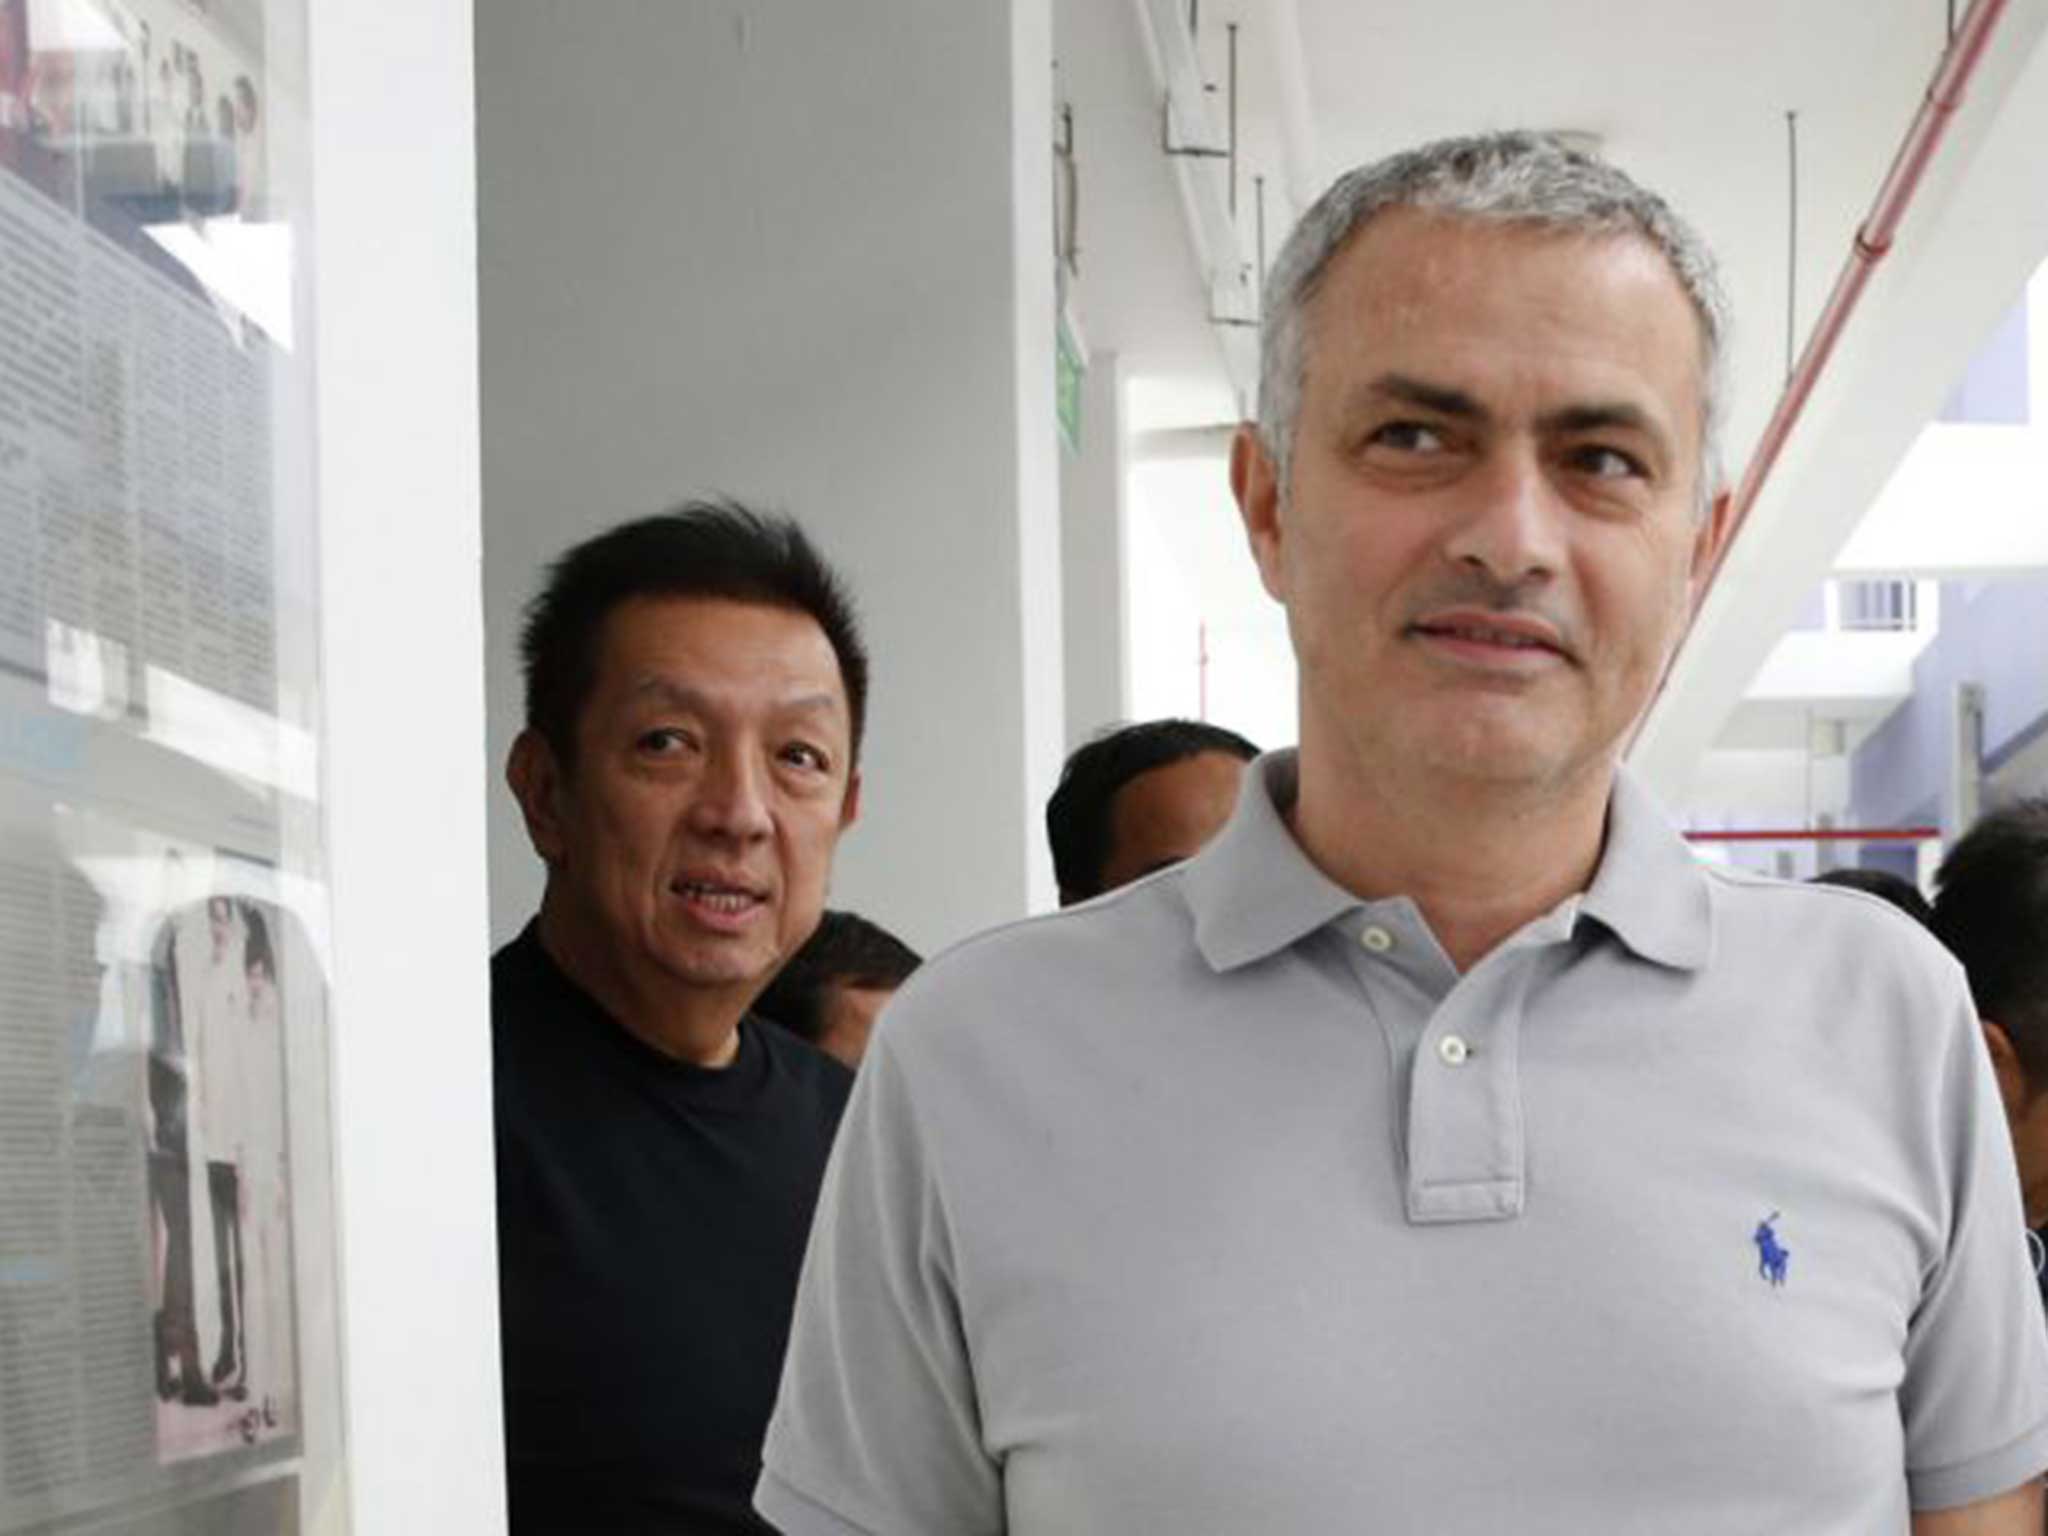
(1525, 179)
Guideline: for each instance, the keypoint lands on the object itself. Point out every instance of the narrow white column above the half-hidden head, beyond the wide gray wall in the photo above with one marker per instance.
(1095, 554)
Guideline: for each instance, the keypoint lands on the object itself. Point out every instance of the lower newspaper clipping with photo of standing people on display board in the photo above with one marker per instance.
(148, 1275)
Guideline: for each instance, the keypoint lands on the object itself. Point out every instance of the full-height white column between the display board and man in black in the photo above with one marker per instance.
(396, 347)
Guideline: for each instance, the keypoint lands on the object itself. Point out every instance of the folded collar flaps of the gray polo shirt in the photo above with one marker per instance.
(1254, 892)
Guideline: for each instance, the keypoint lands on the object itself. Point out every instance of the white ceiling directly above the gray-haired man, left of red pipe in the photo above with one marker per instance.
(1691, 99)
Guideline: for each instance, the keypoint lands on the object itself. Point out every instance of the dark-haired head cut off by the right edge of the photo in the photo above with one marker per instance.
(1992, 910)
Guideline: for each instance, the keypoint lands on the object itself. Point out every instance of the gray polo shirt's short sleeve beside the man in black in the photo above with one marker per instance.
(878, 1428)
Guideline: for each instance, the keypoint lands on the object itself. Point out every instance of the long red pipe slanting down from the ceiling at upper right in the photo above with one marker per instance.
(1873, 243)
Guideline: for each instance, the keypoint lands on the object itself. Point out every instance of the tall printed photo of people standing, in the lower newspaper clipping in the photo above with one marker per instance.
(220, 1183)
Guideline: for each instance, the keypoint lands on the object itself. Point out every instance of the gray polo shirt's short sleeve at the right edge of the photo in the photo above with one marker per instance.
(1975, 1396)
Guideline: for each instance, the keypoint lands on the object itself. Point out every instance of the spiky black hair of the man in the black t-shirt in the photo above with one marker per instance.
(701, 550)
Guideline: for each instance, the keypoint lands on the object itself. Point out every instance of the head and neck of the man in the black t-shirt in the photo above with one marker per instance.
(695, 708)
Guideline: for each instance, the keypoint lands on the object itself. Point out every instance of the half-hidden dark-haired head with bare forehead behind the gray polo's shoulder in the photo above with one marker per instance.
(1142, 798)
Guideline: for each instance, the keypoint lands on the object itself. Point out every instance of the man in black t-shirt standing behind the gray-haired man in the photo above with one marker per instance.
(695, 699)
